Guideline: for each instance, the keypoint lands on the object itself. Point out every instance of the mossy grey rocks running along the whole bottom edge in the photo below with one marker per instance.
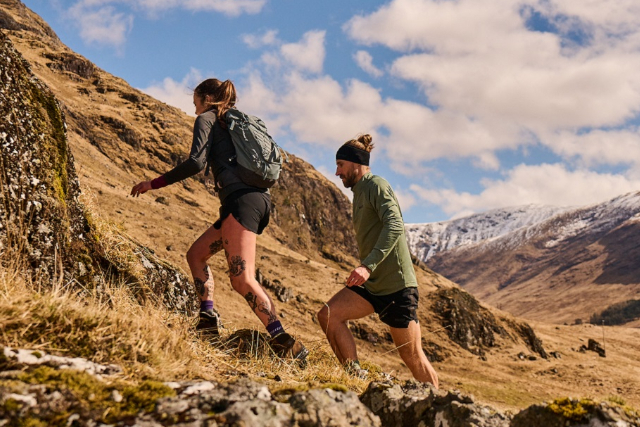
(41, 389)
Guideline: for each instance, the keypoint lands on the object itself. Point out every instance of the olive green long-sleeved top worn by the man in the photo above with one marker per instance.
(380, 234)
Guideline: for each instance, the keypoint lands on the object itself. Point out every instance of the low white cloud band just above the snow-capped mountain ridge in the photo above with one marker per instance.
(545, 184)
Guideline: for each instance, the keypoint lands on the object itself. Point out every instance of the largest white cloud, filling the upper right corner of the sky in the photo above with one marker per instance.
(478, 60)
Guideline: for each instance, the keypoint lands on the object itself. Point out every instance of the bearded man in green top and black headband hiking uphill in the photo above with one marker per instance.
(384, 282)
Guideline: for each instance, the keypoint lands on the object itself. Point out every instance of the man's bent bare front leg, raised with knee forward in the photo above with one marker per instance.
(344, 306)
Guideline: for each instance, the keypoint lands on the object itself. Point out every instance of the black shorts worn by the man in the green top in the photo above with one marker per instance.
(397, 309)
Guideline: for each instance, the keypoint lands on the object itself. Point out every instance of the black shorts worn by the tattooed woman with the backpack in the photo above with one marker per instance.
(251, 209)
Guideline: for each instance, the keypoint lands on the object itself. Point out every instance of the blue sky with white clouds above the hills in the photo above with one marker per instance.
(473, 104)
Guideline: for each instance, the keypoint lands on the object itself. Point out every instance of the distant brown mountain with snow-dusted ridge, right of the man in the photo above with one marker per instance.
(552, 264)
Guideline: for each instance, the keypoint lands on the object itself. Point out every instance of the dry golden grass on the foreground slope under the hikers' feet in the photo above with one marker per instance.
(108, 324)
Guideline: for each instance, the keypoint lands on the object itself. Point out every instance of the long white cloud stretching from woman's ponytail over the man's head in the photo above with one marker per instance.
(319, 110)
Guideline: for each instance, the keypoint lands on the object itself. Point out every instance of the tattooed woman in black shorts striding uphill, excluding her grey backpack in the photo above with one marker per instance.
(244, 213)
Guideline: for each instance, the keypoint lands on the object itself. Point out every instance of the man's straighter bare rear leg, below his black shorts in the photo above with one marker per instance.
(409, 344)
